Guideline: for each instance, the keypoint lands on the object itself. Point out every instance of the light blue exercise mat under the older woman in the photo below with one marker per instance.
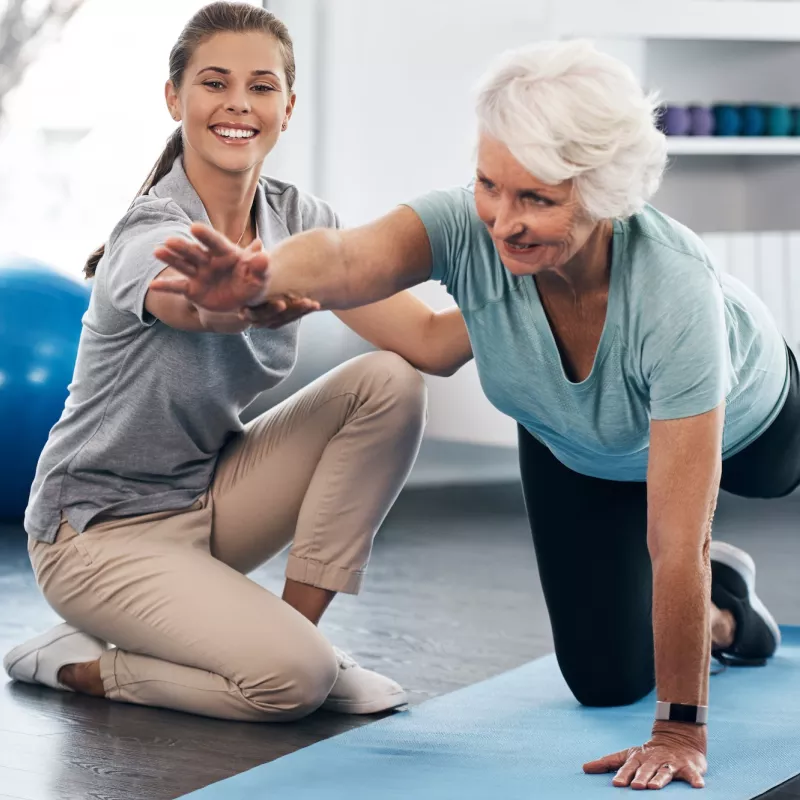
(521, 735)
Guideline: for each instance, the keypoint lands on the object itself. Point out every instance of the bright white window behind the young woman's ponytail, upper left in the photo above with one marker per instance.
(85, 127)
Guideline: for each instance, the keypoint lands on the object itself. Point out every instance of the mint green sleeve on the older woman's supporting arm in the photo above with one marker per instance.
(685, 350)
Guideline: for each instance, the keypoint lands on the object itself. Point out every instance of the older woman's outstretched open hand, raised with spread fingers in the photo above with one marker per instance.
(219, 275)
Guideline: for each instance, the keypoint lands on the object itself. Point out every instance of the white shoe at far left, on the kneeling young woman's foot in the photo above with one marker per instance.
(39, 659)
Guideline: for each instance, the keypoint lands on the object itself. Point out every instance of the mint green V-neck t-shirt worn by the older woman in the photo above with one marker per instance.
(679, 337)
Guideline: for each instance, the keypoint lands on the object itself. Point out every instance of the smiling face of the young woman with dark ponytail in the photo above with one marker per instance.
(233, 100)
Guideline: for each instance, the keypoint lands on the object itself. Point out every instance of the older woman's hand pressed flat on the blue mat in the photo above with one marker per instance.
(675, 752)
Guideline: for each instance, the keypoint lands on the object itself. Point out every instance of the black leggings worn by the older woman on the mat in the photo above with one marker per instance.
(590, 537)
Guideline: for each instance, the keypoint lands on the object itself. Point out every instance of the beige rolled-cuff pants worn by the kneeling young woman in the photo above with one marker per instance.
(192, 633)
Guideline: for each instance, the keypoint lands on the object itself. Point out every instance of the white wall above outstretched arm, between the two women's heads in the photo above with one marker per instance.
(397, 107)
